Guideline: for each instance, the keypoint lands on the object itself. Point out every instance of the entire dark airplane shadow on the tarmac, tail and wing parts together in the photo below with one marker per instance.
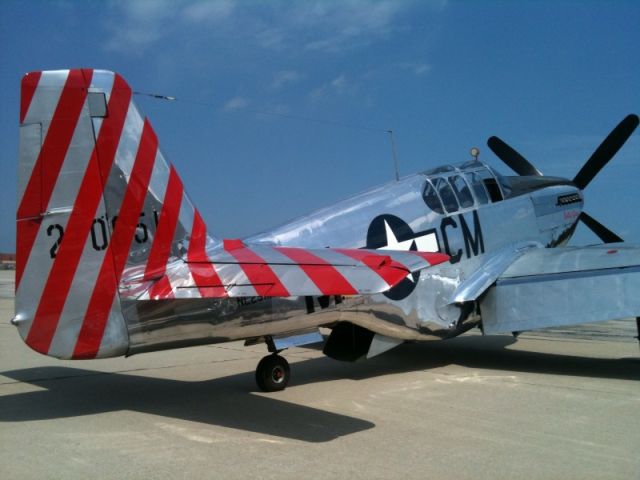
(226, 401)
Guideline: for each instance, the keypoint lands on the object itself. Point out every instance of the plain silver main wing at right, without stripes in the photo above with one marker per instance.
(547, 287)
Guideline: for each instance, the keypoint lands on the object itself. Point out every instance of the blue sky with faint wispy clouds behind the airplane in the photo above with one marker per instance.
(551, 78)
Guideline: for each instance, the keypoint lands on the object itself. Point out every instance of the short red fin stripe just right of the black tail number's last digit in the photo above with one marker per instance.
(161, 248)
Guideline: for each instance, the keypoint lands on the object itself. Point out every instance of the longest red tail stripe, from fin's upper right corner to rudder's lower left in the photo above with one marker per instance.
(79, 224)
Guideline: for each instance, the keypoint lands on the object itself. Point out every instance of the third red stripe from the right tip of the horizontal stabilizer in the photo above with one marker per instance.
(329, 280)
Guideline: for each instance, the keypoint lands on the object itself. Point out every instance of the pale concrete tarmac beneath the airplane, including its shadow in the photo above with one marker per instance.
(560, 404)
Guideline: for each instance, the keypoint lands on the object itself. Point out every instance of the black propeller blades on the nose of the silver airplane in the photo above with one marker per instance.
(600, 157)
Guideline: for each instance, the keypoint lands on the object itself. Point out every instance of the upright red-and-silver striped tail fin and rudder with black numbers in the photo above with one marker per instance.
(95, 196)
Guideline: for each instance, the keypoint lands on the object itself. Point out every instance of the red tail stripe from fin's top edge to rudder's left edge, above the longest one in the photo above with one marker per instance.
(54, 149)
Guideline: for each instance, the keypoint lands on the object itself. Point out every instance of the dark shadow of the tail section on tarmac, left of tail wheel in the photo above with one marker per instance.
(72, 392)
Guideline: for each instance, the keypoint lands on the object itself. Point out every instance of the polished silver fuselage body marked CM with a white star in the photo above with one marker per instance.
(394, 215)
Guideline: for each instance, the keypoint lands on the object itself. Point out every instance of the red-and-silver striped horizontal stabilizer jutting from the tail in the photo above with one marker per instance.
(239, 270)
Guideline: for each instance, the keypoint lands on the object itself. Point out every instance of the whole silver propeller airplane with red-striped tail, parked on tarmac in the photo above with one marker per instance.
(113, 259)
